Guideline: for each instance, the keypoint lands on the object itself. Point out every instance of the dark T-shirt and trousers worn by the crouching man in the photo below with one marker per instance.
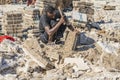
(45, 21)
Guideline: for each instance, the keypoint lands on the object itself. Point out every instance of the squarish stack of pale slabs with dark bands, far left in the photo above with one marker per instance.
(12, 24)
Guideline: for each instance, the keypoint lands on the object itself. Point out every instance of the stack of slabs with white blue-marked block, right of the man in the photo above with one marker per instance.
(82, 11)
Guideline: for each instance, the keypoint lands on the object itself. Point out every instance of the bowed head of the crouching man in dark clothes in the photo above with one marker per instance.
(50, 11)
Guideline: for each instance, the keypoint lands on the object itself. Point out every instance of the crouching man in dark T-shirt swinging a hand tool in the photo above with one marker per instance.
(52, 26)
